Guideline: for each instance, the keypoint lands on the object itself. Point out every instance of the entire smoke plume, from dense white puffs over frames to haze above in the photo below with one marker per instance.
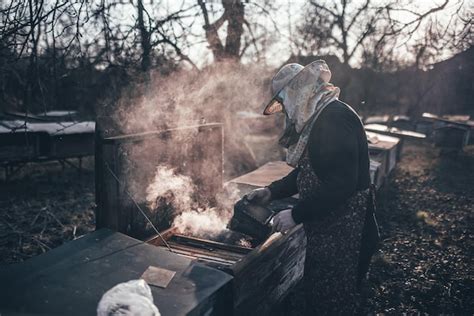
(231, 94)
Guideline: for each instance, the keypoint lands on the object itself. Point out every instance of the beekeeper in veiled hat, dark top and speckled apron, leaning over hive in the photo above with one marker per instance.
(327, 146)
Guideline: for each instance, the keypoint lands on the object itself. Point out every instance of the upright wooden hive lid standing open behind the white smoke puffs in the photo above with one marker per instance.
(194, 151)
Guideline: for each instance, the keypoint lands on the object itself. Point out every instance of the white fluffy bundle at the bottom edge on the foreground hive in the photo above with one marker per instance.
(132, 298)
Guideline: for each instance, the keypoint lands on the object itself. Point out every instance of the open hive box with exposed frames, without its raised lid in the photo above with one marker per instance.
(263, 276)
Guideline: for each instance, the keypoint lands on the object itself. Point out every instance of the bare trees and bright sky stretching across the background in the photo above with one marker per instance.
(75, 54)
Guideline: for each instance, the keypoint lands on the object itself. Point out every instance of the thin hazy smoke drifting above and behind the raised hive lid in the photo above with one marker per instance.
(228, 93)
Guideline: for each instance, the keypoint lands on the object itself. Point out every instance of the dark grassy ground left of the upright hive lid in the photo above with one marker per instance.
(44, 206)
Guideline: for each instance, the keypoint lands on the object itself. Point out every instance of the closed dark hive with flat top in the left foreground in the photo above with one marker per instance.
(71, 279)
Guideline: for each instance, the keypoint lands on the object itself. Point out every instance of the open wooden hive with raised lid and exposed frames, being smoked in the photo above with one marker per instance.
(263, 271)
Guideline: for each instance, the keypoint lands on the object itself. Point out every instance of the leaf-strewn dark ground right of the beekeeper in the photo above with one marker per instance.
(426, 216)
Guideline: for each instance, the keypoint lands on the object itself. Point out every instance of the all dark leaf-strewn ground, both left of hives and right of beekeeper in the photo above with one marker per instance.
(425, 215)
